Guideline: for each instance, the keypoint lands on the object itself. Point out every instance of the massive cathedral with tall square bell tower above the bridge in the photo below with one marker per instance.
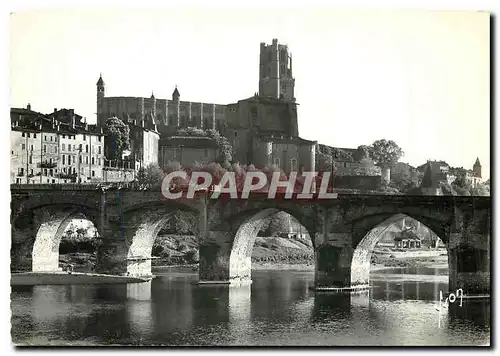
(262, 129)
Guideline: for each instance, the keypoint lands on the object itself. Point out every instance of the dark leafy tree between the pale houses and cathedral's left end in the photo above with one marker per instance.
(116, 138)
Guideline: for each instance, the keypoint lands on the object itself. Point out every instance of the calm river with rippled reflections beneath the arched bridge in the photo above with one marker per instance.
(277, 309)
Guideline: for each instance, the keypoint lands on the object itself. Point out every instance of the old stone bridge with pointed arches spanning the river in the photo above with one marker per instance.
(343, 231)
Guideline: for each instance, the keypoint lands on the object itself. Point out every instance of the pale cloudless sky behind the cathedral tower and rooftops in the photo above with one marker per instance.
(417, 77)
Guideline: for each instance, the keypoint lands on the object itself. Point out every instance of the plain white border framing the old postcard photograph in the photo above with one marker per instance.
(9, 6)
